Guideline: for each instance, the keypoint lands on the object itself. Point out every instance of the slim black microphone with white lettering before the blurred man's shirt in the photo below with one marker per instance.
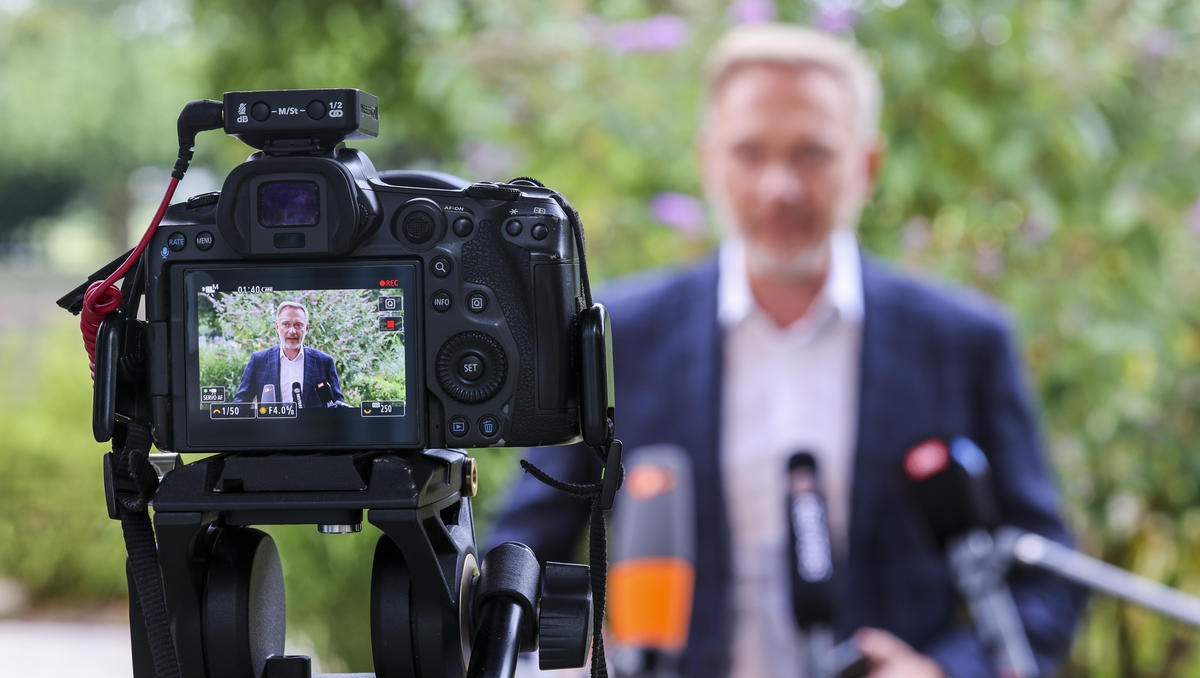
(811, 555)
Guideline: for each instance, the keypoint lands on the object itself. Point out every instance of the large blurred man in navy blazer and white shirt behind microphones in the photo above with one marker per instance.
(790, 339)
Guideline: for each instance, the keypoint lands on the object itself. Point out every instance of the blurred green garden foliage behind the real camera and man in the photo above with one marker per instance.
(1042, 151)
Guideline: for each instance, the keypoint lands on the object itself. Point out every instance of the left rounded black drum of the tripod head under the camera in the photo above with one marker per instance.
(244, 605)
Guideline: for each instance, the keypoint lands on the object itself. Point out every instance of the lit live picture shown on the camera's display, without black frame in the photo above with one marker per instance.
(268, 353)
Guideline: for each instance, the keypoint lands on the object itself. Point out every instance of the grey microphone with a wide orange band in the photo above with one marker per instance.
(652, 579)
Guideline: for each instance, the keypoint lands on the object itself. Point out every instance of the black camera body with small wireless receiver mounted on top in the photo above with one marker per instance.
(435, 314)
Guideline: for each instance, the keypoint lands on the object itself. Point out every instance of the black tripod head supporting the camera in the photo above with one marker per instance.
(430, 596)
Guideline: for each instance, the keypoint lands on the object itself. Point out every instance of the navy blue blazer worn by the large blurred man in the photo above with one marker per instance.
(934, 362)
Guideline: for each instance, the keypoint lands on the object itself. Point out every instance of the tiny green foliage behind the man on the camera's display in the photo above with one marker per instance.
(341, 323)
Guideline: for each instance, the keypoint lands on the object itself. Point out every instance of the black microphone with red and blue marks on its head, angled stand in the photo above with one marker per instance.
(952, 488)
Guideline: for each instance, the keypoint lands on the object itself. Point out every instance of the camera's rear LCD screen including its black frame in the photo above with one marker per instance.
(298, 358)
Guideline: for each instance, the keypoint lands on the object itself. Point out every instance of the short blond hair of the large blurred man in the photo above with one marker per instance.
(801, 47)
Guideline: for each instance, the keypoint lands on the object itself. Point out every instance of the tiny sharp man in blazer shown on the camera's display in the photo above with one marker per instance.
(291, 373)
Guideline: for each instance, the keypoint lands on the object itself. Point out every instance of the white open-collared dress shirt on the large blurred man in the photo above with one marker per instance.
(785, 389)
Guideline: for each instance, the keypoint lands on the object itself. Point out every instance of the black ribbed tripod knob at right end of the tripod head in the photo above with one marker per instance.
(565, 620)
